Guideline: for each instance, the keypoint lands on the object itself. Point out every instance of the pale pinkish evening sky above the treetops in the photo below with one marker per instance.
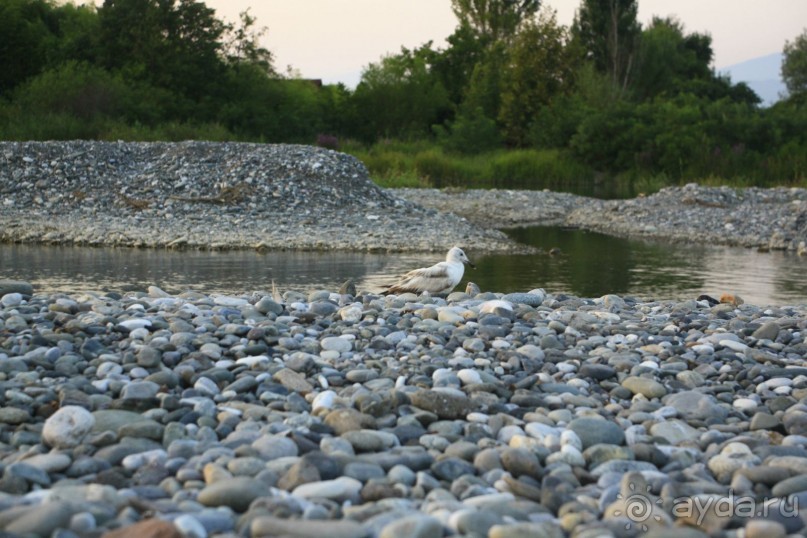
(335, 39)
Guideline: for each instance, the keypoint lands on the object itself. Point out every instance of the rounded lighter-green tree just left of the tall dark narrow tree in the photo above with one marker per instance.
(540, 67)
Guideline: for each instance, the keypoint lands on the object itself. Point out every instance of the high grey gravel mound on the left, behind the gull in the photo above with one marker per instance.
(213, 195)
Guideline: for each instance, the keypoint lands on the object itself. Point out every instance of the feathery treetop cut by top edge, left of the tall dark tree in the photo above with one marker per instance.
(494, 19)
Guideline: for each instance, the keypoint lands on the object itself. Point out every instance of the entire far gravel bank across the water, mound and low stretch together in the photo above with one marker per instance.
(221, 196)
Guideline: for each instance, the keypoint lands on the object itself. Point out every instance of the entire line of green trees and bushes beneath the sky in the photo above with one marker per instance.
(608, 92)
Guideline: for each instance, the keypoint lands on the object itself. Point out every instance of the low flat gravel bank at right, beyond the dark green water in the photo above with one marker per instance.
(773, 219)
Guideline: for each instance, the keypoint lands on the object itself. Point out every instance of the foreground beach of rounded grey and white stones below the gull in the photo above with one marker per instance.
(362, 416)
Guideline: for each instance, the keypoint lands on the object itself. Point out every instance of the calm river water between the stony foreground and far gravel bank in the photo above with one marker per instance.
(590, 265)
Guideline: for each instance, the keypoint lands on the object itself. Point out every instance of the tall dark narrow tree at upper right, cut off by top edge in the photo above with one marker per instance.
(609, 33)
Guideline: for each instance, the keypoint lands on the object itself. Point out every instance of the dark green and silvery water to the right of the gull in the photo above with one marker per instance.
(592, 264)
